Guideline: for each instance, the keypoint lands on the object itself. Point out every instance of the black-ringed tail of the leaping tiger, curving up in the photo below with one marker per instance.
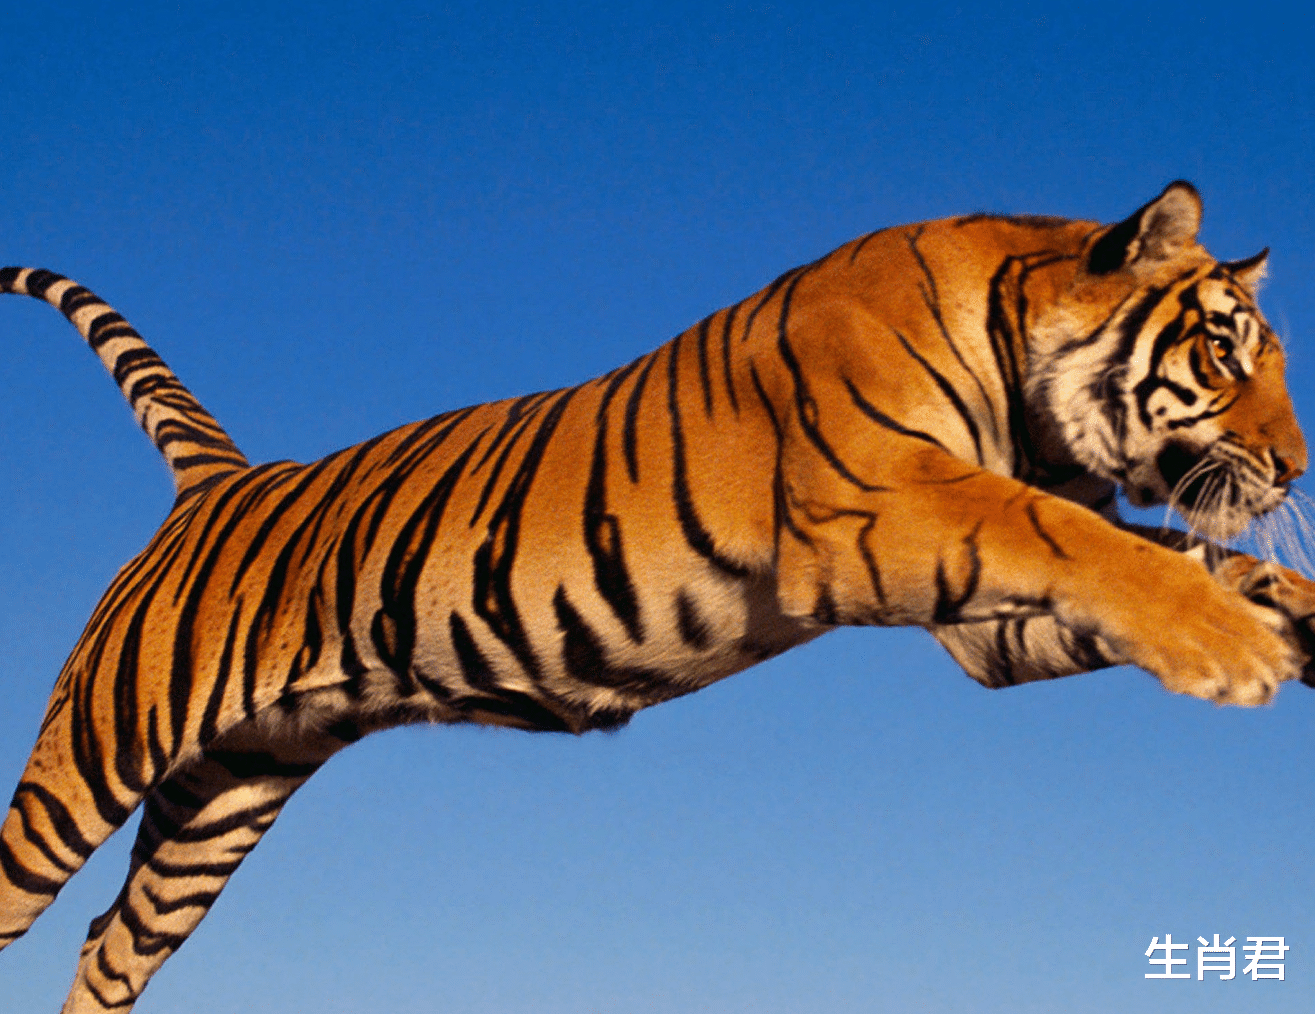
(194, 445)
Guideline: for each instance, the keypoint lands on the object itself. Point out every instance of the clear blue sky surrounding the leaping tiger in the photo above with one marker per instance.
(332, 222)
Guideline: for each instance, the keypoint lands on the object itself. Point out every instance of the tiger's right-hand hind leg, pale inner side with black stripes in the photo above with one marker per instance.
(198, 827)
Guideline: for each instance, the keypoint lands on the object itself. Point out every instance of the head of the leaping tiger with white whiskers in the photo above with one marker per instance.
(1163, 375)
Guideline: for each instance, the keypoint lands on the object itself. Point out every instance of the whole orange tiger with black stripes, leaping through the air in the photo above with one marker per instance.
(929, 427)
